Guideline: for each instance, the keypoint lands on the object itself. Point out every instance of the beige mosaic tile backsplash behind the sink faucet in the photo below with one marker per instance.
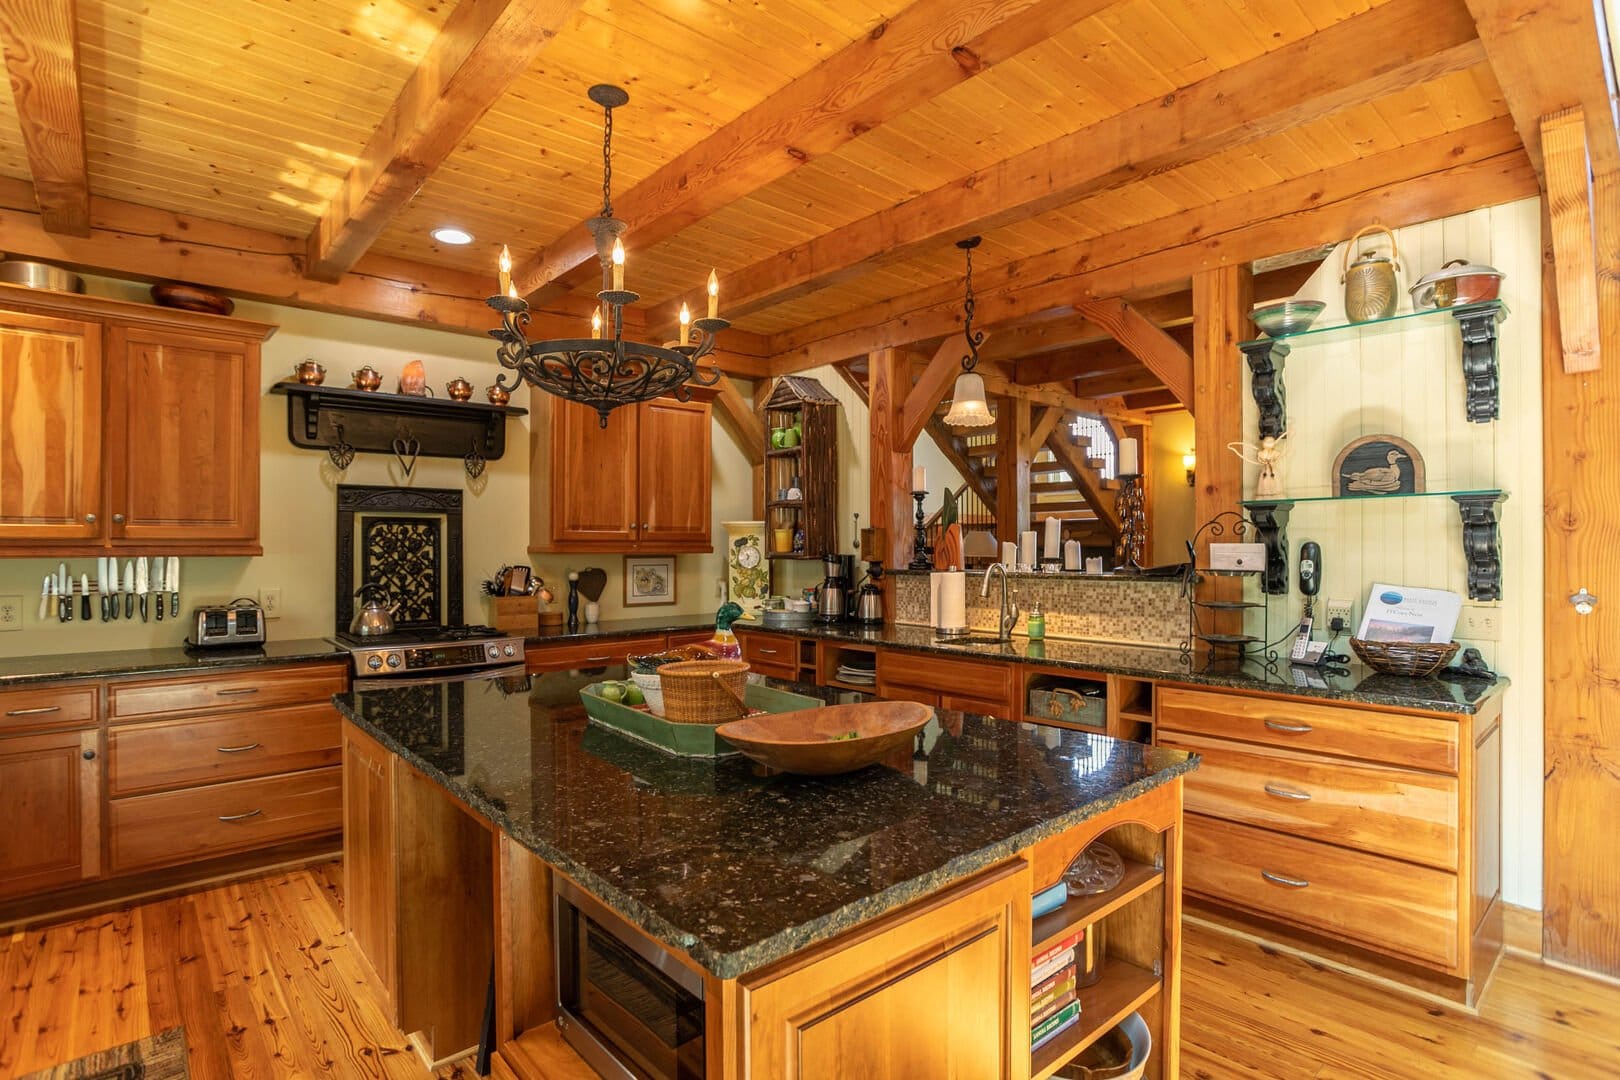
(1130, 611)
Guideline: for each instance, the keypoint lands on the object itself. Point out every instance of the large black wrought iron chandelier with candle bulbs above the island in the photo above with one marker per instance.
(605, 372)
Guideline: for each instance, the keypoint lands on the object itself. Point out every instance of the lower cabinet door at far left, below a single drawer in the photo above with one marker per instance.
(51, 807)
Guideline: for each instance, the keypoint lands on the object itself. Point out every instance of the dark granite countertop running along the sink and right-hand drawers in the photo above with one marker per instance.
(1349, 682)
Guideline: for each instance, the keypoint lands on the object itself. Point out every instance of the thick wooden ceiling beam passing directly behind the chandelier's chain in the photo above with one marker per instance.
(903, 62)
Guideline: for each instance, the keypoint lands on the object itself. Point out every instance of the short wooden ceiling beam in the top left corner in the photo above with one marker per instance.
(43, 59)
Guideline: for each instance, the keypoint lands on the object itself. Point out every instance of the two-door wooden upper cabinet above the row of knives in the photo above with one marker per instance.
(127, 427)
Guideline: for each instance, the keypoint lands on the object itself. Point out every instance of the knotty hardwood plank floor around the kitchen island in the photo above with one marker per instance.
(268, 985)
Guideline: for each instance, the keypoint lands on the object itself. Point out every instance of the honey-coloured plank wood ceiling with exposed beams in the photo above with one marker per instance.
(822, 155)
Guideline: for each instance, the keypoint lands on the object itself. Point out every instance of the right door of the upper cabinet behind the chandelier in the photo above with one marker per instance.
(675, 483)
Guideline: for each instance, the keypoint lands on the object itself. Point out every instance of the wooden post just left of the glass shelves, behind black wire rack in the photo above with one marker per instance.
(1221, 320)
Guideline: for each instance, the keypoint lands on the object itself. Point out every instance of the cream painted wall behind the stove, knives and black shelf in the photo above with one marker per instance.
(299, 511)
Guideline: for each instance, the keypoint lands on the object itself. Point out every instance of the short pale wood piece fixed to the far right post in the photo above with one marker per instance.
(1567, 169)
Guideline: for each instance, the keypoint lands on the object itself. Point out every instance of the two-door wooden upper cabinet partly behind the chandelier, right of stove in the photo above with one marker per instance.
(639, 485)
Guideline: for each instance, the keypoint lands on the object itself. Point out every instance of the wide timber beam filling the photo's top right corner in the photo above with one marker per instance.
(1551, 56)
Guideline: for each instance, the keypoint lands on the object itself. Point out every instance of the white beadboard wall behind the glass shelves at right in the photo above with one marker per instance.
(1407, 380)
